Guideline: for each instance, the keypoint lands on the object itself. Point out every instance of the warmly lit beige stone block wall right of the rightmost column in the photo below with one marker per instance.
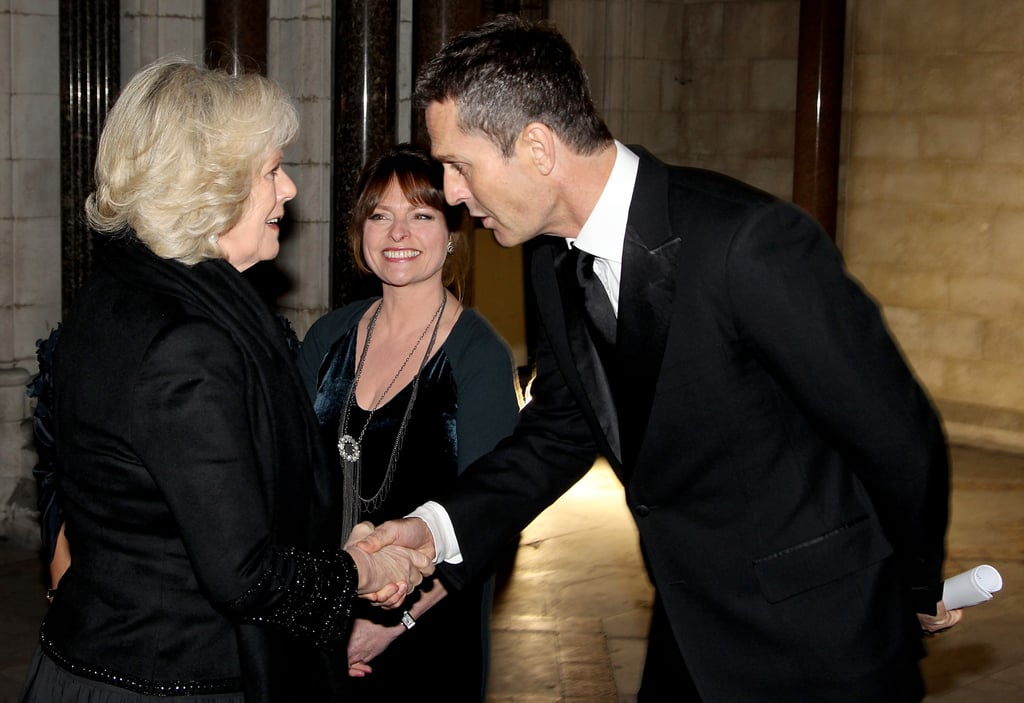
(934, 198)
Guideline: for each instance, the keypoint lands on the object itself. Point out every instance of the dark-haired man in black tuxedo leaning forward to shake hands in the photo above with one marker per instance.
(788, 474)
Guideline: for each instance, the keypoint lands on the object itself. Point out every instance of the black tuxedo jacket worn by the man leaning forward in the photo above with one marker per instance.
(787, 472)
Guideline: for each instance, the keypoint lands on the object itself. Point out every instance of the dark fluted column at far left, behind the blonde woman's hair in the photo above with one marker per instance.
(91, 79)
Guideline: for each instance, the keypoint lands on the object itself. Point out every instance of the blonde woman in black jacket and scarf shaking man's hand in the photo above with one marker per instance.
(200, 510)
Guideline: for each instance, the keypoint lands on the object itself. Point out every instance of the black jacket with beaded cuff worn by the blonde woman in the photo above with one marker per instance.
(200, 510)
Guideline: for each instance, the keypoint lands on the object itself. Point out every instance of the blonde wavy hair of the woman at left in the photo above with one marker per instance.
(179, 154)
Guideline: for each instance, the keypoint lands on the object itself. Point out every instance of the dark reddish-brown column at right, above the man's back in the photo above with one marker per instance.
(820, 99)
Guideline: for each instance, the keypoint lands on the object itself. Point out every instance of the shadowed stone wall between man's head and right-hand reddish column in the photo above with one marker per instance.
(710, 84)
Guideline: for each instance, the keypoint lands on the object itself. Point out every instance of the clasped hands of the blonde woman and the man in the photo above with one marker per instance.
(392, 560)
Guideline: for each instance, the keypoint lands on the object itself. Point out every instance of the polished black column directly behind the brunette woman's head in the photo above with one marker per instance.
(363, 99)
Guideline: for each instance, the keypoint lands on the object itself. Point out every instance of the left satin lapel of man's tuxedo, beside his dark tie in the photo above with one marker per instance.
(577, 344)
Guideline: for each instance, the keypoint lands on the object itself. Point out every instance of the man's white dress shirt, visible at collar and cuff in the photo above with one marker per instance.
(603, 235)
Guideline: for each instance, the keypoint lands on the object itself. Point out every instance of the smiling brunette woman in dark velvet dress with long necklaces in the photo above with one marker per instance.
(409, 389)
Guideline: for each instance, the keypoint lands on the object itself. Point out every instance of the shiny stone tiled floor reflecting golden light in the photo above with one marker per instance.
(572, 618)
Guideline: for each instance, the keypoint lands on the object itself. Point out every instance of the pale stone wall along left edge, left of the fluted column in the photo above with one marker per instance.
(30, 238)
